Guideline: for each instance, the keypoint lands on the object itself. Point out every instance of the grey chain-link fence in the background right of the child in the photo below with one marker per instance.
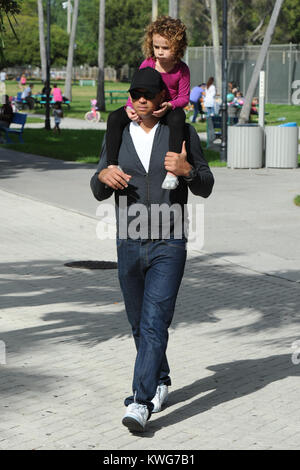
(282, 67)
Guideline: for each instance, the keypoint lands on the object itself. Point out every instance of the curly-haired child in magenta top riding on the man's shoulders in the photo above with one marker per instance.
(164, 46)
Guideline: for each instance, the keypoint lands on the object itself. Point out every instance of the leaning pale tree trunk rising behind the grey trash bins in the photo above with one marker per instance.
(245, 112)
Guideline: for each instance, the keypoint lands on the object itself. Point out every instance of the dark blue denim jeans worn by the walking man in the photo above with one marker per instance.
(150, 273)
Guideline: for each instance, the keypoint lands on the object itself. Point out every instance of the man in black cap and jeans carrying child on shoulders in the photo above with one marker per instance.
(151, 264)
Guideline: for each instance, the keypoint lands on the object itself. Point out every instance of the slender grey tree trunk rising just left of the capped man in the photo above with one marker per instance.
(101, 54)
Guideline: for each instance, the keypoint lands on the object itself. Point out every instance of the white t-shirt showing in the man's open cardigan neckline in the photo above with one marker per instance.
(143, 142)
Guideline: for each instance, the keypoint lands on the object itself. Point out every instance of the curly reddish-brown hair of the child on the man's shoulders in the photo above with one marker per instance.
(171, 29)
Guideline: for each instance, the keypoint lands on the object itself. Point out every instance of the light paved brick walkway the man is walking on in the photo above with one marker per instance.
(69, 352)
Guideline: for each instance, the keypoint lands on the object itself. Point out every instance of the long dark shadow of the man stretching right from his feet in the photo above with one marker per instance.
(231, 380)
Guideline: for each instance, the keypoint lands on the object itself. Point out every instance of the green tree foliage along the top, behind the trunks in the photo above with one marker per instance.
(125, 23)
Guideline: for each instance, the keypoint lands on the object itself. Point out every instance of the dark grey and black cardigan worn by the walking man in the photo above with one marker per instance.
(145, 188)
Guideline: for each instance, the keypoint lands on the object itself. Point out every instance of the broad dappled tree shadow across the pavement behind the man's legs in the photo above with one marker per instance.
(209, 292)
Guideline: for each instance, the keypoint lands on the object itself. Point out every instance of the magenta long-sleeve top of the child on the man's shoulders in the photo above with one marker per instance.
(177, 83)
